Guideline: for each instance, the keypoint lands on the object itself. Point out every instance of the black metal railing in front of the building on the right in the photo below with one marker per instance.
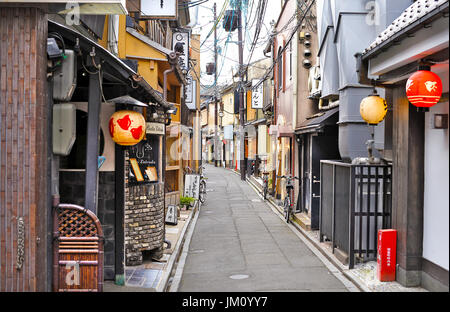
(355, 203)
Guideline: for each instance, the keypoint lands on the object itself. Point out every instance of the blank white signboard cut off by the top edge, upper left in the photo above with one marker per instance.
(159, 9)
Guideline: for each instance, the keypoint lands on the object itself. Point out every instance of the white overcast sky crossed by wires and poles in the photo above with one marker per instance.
(228, 58)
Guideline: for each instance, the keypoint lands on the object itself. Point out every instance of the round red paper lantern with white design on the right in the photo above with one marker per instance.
(424, 88)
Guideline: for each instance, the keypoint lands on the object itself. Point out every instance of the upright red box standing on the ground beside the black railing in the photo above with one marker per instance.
(386, 258)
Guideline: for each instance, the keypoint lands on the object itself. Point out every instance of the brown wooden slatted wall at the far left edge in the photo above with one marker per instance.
(23, 148)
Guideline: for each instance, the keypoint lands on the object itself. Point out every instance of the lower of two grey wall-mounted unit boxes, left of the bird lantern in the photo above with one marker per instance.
(64, 128)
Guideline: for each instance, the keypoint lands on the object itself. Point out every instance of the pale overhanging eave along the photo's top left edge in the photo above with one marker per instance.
(85, 7)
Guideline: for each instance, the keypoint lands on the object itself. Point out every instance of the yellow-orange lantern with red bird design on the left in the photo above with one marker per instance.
(127, 127)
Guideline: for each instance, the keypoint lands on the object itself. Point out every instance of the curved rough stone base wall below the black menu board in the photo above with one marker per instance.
(144, 221)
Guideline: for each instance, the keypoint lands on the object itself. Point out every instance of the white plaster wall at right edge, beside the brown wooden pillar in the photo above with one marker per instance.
(436, 193)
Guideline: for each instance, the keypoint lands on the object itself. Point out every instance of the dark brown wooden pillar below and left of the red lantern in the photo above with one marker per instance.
(408, 186)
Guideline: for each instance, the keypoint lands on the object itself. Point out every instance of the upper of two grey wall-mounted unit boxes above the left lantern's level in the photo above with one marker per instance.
(65, 81)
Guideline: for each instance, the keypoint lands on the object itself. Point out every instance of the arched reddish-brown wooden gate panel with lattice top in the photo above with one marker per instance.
(77, 250)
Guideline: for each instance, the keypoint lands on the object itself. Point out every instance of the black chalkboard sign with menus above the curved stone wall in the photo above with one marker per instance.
(143, 161)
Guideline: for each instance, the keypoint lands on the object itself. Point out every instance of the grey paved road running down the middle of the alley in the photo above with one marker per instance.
(238, 235)
